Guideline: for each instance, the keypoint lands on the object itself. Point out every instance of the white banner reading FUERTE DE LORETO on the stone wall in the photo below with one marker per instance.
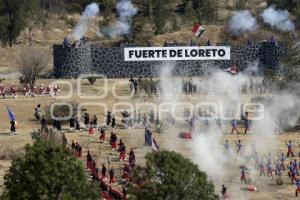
(177, 53)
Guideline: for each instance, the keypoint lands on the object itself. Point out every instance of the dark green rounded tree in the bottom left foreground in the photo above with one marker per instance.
(47, 171)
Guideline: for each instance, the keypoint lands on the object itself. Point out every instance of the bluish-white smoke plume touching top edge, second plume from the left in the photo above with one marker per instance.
(126, 10)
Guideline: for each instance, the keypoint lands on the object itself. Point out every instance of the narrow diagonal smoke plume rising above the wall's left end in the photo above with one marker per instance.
(81, 28)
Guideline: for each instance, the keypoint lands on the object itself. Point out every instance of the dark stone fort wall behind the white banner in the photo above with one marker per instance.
(71, 62)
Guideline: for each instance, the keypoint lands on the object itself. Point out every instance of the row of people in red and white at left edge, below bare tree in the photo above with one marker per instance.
(30, 91)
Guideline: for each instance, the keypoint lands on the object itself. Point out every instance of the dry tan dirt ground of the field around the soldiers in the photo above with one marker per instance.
(23, 109)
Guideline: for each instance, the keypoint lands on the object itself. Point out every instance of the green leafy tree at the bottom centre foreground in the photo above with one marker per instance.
(168, 175)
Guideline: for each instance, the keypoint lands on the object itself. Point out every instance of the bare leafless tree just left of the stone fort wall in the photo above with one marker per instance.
(32, 62)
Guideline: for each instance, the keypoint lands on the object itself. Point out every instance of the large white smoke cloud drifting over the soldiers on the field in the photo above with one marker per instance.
(221, 88)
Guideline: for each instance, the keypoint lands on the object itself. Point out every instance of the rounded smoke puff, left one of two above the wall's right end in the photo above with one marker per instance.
(241, 22)
